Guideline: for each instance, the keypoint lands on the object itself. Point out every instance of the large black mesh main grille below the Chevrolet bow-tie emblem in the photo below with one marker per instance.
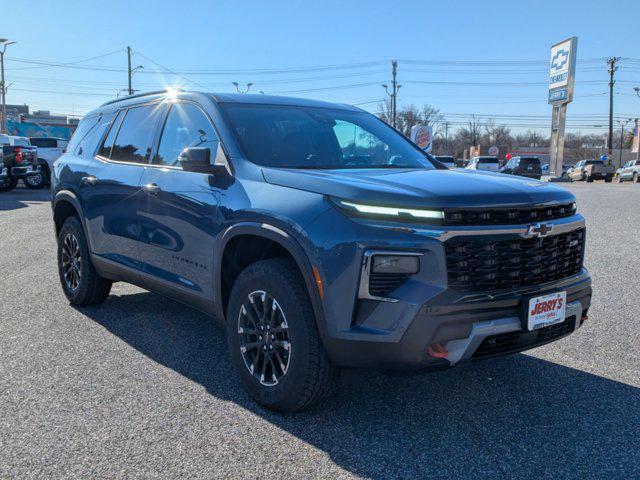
(479, 265)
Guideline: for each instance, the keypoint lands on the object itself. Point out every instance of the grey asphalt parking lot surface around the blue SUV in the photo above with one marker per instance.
(142, 386)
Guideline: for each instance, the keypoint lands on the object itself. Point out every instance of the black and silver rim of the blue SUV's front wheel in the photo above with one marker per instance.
(264, 338)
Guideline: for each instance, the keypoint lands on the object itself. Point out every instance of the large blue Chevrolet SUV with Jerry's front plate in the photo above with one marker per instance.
(317, 234)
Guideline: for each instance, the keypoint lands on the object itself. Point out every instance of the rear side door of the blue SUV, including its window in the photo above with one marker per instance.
(112, 195)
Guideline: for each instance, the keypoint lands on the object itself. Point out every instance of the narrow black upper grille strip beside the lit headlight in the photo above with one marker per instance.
(506, 216)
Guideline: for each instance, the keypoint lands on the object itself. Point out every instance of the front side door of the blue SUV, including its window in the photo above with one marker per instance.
(180, 216)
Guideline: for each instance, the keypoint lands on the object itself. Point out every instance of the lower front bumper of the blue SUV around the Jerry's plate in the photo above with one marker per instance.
(463, 329)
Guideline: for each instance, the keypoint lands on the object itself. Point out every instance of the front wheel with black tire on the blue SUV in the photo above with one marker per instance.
(273, 338)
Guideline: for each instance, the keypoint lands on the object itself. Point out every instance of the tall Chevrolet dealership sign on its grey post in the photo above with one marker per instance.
(562, 69)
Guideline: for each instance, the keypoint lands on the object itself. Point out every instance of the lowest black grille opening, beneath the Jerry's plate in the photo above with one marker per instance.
(512, 342)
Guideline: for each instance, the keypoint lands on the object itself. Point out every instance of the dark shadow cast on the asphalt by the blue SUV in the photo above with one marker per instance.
(516, 417)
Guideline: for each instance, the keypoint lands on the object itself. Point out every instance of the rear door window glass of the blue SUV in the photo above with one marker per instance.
(135, 135)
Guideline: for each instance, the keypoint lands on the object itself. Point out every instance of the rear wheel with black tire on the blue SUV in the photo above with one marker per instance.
(80, 282)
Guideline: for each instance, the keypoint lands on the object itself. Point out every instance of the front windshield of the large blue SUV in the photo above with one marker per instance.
(310, 137)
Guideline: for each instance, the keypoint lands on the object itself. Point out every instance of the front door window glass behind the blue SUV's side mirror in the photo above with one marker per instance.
(186, 126)
